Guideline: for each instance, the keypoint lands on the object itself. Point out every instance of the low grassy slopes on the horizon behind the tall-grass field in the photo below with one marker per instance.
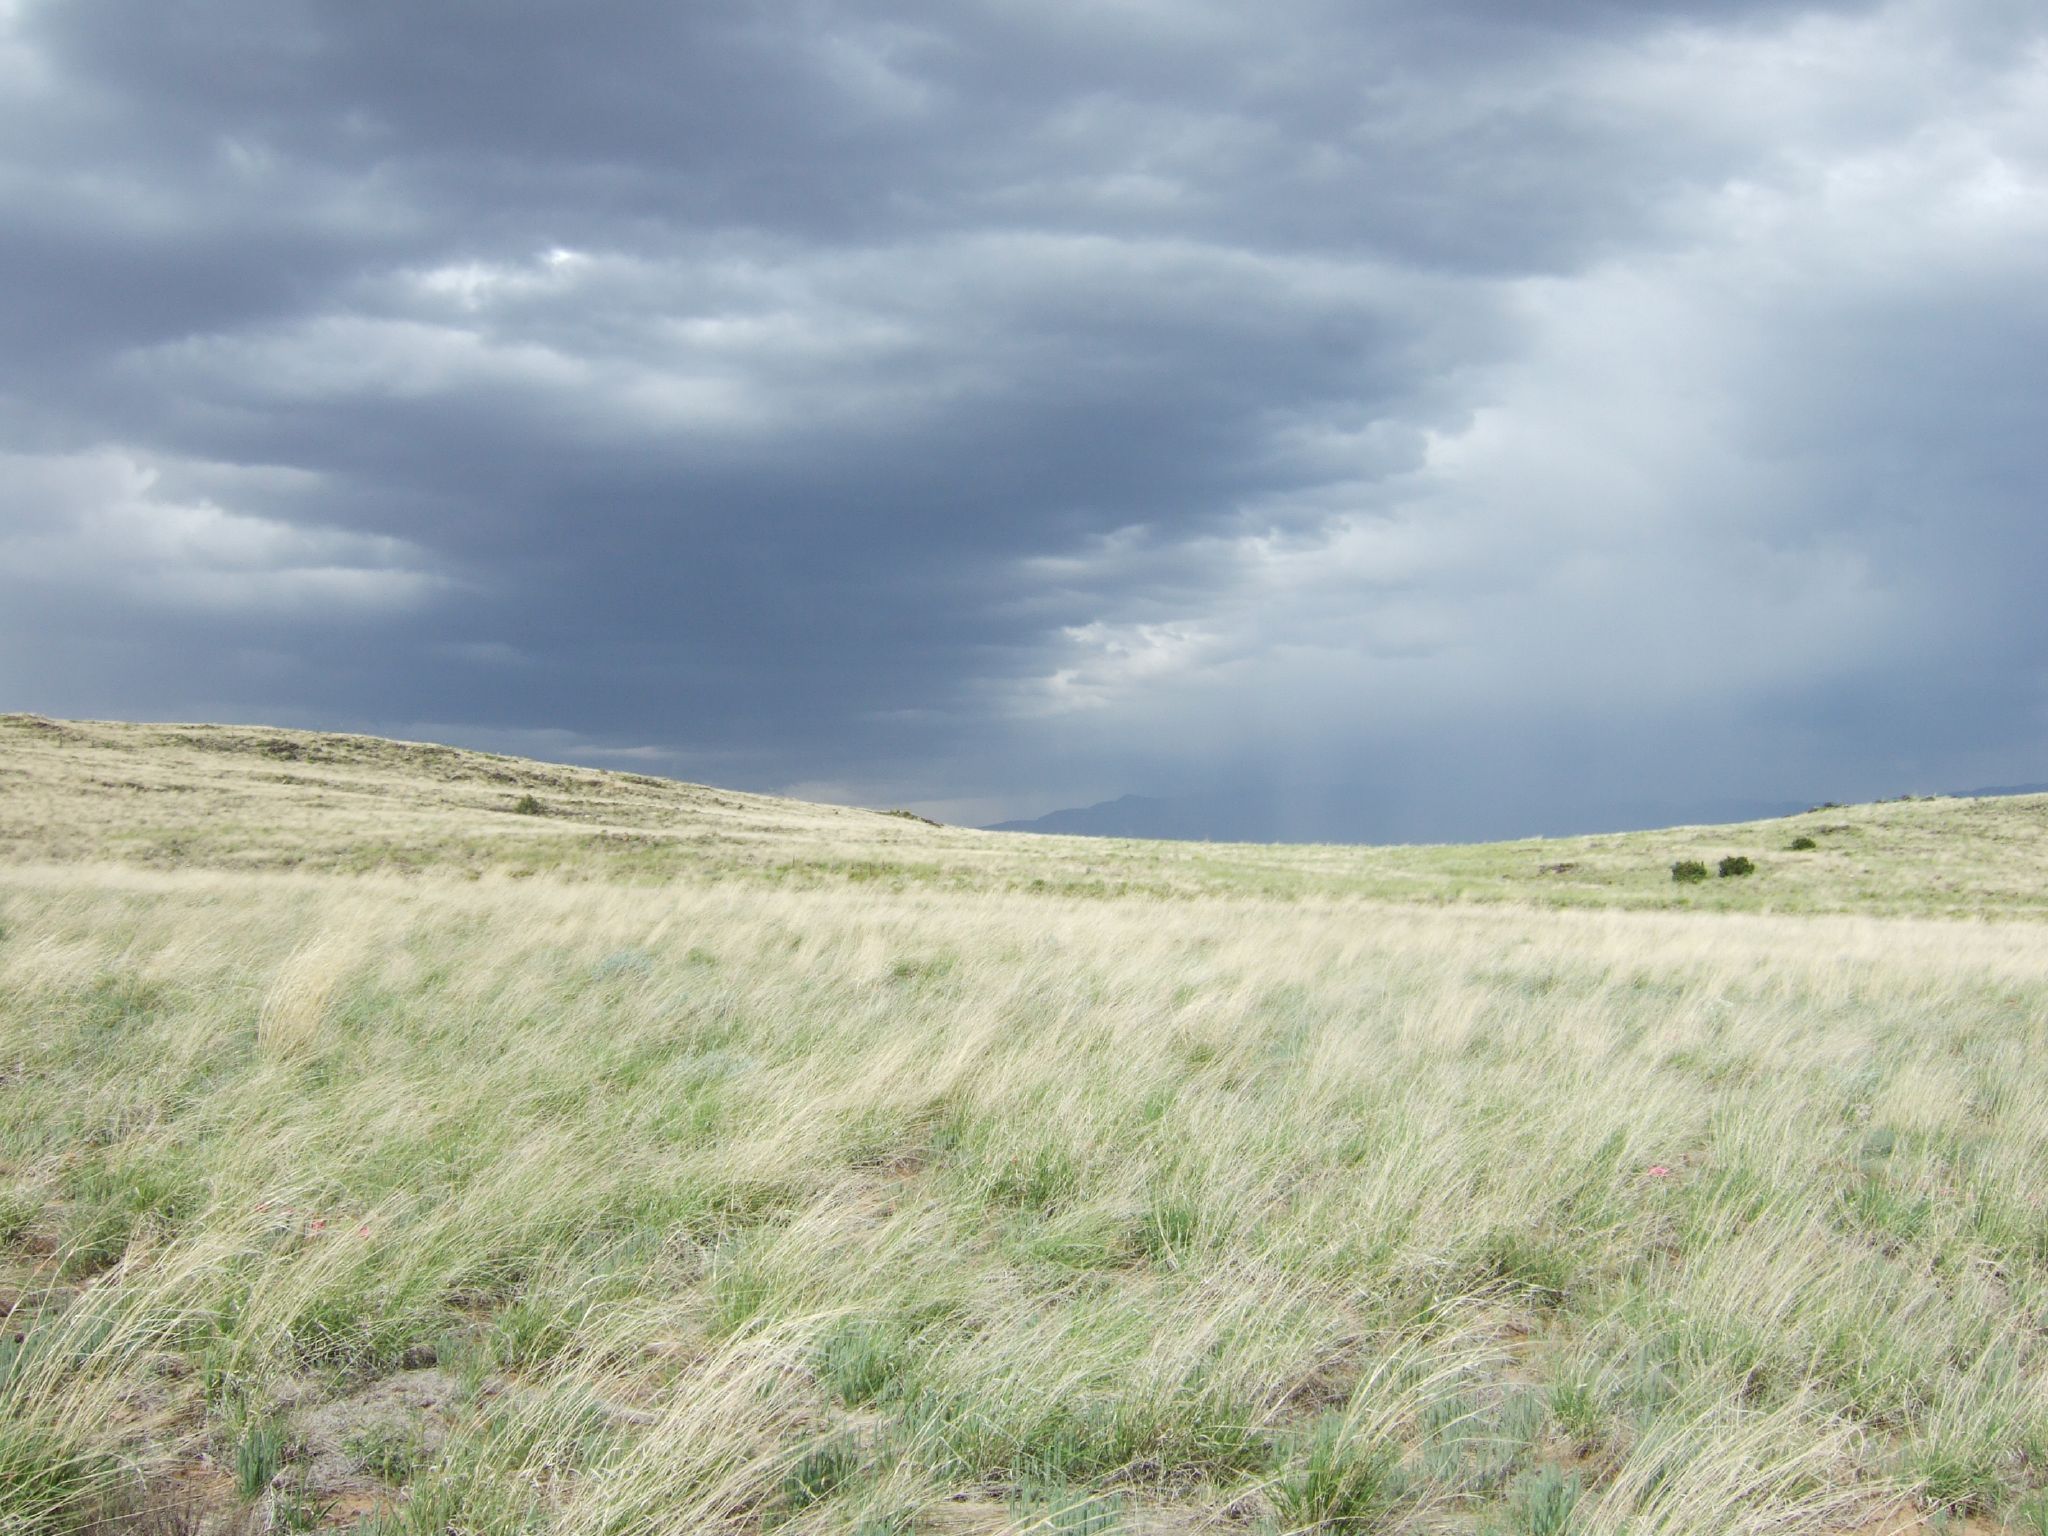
(269, 800)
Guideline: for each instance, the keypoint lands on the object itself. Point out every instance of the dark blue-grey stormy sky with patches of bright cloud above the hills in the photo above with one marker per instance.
(1408, 419)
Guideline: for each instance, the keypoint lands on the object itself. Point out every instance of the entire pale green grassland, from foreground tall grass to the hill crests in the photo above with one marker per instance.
(378, 1154)
